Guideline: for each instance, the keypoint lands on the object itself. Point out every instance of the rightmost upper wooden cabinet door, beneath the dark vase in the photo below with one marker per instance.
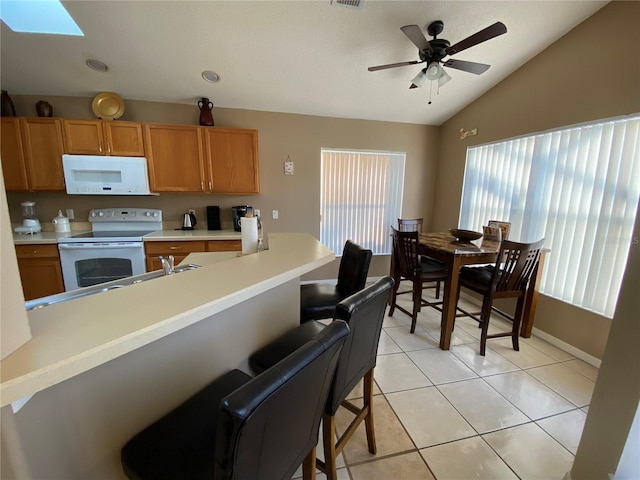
(232, 158)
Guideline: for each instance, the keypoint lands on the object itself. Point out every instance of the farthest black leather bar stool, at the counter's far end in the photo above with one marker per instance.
(318, 300)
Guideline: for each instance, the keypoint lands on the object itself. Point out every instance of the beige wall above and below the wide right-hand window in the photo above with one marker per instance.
(591, 73)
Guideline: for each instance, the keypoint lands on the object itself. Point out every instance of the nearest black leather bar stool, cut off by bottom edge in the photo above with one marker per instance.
(241, 427)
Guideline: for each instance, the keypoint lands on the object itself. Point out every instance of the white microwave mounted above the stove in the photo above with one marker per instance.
(105, 175)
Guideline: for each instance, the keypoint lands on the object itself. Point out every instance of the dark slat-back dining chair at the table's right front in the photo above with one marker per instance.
(508, 278)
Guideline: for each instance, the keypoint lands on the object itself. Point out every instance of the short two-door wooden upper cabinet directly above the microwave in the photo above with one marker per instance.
(101, 137)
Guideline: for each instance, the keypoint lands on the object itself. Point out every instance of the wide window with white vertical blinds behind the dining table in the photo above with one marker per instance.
(578, 187)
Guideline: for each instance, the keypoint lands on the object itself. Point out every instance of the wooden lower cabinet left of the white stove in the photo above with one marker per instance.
(40, 270)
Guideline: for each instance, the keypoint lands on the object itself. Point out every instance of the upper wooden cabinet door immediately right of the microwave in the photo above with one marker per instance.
(175, 157)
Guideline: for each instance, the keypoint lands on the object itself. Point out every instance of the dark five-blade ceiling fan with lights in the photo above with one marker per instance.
(432, 52)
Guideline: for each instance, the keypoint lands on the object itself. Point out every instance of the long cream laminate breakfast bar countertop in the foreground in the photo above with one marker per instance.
(73, 337)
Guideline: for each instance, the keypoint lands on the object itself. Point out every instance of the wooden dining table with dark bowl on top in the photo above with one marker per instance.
(456, 254)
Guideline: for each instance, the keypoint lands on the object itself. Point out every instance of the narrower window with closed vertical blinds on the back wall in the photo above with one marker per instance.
(360, 197)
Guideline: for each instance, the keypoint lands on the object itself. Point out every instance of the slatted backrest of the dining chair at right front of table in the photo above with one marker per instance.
(515, 264)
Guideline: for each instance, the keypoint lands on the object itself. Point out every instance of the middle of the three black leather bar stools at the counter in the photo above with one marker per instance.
(364, 312)
